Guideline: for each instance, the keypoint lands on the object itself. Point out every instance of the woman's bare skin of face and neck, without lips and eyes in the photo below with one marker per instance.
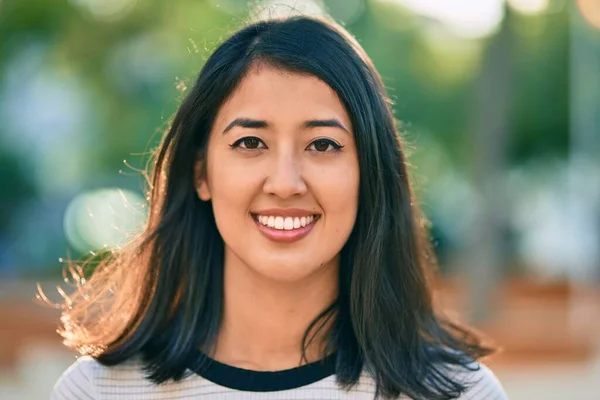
(274, 290)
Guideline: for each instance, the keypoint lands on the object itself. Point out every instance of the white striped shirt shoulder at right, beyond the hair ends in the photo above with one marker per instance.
(482, 384)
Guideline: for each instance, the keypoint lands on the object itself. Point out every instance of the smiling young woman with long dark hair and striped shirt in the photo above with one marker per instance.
(284, 255)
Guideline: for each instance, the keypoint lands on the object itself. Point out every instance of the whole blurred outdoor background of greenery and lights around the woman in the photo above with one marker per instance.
(499, 103)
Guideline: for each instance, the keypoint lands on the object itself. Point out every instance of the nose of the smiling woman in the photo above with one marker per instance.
(284, 178)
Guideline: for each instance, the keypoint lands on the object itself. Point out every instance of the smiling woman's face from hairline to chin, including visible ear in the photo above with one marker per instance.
(282, 174)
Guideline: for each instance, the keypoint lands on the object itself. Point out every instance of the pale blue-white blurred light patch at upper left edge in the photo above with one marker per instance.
(45, 109)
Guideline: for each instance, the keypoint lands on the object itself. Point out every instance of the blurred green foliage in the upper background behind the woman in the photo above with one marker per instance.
(134, 69)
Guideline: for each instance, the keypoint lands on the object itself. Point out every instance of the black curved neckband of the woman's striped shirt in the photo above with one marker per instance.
(263, 381)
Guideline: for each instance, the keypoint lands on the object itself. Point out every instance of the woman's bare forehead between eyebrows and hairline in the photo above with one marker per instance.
(274, 93)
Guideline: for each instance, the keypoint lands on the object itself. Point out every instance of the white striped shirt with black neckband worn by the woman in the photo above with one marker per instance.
(87, 379)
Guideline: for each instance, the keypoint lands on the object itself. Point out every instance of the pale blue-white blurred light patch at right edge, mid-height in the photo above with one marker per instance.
(555, 242)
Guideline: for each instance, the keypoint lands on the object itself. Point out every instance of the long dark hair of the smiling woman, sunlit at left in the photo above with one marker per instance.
(161, 297)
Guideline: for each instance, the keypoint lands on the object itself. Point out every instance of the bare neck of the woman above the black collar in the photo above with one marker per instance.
(264, 321)
